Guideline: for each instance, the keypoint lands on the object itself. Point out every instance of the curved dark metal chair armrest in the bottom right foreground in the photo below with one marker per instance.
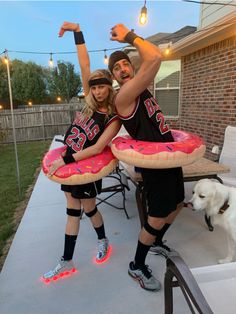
(176, 268)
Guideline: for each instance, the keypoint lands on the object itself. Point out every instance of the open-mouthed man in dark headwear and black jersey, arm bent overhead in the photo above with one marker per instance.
(143, 120)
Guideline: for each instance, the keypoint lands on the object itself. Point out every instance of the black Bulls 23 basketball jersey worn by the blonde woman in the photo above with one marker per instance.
(85, 132)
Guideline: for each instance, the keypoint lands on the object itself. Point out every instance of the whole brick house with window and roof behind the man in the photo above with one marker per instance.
(199, 94)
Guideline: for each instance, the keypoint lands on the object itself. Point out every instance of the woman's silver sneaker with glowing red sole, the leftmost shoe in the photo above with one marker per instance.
(63, 268)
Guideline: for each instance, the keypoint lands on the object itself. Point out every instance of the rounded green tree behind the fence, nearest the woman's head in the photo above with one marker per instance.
(63, 81)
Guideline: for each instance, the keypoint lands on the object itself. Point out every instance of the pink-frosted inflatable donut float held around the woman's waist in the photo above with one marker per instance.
(83, 171)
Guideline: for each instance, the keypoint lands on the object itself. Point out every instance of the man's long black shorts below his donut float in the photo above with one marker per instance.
(164, 189)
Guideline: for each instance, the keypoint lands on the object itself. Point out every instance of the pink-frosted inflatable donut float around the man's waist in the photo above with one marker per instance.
(185, 149)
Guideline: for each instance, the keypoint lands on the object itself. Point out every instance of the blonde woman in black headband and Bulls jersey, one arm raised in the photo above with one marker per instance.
(91, 131)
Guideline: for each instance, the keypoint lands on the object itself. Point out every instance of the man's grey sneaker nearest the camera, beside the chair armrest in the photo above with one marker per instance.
(144, 276)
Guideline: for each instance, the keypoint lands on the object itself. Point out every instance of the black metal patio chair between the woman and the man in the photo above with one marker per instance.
(120, 185)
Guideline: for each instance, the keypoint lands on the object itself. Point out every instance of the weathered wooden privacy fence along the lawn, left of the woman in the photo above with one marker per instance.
(37, 123)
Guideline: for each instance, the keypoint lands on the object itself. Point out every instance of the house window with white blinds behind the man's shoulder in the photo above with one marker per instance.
(166, 87)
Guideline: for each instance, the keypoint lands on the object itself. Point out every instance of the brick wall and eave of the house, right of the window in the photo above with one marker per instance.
(208, 81)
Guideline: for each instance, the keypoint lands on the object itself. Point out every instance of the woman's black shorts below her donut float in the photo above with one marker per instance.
(82, 191)
